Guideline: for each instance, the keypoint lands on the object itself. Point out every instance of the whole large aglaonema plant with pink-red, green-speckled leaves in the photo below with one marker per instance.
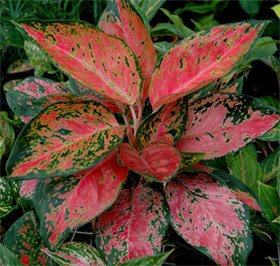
(122, 144)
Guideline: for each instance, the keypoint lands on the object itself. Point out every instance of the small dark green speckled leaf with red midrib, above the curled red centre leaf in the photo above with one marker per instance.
(167, 125)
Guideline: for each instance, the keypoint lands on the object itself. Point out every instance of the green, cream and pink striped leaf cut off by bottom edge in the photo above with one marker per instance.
(75, 253)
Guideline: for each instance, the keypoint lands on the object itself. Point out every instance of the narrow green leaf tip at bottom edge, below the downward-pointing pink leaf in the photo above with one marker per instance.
(150, 260)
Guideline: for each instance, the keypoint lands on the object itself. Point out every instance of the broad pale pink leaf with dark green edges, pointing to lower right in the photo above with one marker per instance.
(209, 217)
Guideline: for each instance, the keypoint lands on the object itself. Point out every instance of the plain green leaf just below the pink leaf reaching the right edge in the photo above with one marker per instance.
(244, 166)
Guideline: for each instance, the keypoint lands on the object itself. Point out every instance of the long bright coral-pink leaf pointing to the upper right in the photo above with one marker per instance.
(200, 59)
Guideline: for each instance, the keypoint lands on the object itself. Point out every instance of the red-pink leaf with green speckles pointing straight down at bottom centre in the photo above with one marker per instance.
(134, 226)
